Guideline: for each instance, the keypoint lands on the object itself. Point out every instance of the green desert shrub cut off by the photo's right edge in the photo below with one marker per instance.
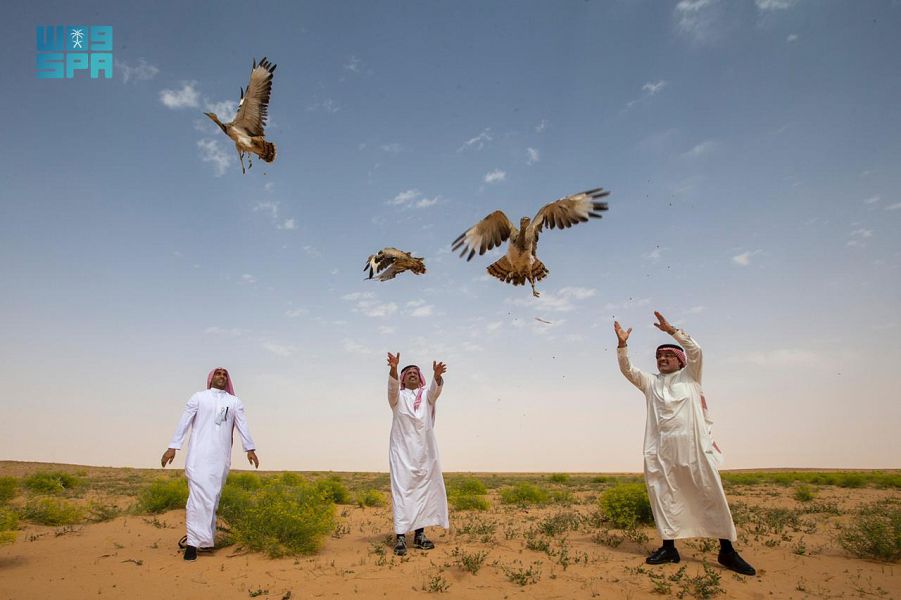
(875, 532)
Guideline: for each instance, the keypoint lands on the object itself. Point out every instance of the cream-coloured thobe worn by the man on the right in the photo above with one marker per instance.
(680, 456)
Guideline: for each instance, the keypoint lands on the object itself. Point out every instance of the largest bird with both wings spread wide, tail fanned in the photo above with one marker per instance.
(520, 264)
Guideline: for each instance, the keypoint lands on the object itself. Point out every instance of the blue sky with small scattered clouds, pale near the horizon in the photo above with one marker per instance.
(752, 154)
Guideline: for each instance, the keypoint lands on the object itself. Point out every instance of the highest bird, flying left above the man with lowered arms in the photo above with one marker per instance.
(246, 129)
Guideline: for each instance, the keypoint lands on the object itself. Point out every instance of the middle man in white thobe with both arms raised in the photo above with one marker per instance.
(419, 498)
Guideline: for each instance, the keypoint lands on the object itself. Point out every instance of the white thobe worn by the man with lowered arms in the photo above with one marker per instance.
(213, 415)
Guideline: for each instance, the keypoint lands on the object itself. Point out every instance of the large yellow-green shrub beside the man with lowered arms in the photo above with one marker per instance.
(280, 519)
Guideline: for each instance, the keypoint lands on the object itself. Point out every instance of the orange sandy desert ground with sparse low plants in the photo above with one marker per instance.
(557, 550)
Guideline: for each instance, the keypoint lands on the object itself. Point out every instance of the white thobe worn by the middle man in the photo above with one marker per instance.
(417, 485)
